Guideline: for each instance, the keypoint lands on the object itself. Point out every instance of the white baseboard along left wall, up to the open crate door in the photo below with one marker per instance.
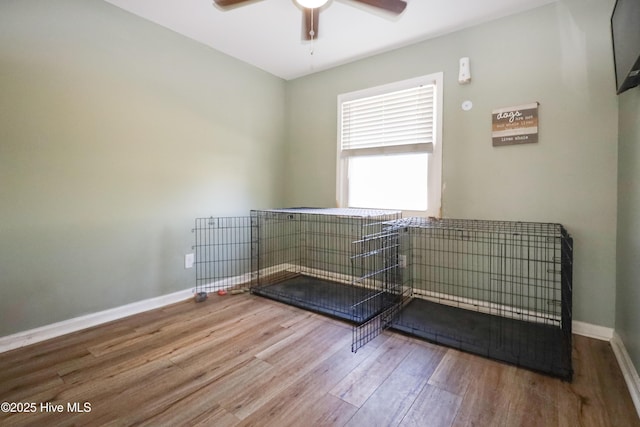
(53, 330)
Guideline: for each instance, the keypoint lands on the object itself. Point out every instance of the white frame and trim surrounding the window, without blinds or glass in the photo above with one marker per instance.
(434, 200)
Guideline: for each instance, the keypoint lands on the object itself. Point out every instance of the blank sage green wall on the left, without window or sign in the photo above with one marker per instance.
(114, 135)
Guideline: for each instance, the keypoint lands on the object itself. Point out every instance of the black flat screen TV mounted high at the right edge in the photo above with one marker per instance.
(625, 32)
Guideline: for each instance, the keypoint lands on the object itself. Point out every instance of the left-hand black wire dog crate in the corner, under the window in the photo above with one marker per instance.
(303, 257)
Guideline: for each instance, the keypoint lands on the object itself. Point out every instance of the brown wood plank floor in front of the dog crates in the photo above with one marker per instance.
(247, 361)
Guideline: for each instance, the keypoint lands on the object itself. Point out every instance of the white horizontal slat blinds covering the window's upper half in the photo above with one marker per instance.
(394, 122)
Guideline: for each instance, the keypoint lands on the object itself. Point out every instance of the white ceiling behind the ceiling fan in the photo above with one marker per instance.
(267, 33)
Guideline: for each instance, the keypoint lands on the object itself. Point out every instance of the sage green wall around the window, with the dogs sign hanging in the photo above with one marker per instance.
(559, 55)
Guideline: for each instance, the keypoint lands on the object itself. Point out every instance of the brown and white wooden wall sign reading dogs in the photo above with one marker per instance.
(515, 125)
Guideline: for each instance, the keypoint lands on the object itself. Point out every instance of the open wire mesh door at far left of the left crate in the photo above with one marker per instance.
(223, 253)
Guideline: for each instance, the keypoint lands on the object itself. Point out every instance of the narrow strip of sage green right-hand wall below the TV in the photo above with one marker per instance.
(628, 254)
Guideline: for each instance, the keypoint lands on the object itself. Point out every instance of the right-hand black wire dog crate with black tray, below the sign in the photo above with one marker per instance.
(498, 289)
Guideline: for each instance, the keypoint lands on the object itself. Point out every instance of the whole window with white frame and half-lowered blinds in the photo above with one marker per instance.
(390, 146)
